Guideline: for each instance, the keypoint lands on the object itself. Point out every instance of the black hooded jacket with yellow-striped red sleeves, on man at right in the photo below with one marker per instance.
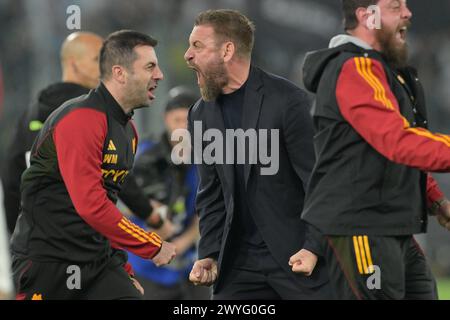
(372, 146)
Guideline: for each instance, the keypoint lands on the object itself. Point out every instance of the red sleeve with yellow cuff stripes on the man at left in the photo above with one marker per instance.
(79, 139)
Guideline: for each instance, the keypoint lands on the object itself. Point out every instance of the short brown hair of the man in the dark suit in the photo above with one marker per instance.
(230, 25)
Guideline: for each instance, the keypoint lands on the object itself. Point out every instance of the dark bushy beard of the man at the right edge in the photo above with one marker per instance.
(396, 56)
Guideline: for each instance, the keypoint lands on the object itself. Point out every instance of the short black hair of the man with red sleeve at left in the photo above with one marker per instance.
(118, 49)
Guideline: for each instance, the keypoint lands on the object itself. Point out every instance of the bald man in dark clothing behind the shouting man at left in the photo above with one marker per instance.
(80, 73)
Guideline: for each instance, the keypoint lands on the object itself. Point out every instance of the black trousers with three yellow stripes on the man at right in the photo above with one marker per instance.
(378, 267)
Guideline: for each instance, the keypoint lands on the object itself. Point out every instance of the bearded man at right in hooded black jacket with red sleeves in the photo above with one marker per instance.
(370, 189)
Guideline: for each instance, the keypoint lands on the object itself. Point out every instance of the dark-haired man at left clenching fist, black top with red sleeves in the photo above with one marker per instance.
(69, 237)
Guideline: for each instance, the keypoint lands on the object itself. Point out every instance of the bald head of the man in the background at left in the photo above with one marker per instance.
(79, 58)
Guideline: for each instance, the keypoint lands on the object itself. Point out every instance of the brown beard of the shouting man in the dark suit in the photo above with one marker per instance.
(215, 79)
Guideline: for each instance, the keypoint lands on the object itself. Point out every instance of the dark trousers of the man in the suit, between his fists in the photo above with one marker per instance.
(255, 275)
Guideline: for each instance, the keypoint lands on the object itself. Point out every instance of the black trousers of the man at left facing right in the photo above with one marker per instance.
(101, 280)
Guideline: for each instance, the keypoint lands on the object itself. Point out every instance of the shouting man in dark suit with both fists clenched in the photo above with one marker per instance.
(249, 207)
